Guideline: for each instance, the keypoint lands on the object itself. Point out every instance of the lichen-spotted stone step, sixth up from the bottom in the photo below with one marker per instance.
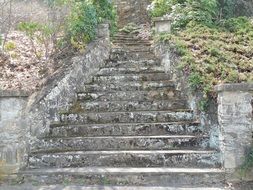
(114, 106)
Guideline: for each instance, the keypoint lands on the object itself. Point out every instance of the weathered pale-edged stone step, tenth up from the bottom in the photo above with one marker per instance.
(130, 70)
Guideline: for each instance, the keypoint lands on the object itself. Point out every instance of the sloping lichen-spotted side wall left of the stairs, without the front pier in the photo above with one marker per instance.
(60, 91)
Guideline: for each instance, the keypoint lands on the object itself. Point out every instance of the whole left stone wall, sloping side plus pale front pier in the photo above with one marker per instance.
(24, 117)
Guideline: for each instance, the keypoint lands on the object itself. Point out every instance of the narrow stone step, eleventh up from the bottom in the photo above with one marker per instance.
(126, 64)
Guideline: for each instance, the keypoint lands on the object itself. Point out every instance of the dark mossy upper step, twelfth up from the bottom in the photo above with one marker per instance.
(119, 54)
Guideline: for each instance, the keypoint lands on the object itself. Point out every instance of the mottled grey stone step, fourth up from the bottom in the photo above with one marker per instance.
(118, 129)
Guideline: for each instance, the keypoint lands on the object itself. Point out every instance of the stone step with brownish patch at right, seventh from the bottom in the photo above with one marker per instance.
(164, 94)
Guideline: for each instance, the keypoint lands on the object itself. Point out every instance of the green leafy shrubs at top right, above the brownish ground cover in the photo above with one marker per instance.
(208, 12)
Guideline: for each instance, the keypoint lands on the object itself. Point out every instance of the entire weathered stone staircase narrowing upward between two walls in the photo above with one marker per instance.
(129, 126)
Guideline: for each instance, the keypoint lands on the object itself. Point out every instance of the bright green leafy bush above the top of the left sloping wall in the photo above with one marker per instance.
(83, 20)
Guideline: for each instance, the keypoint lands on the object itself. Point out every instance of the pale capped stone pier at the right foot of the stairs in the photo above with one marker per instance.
(235, 119)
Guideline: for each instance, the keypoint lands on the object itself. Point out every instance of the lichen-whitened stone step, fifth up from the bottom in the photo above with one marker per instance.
(127, 117)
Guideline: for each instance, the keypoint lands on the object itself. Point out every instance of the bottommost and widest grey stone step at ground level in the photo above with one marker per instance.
(175, 177)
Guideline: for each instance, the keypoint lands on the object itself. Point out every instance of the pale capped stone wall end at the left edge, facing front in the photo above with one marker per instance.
(12, 129)
